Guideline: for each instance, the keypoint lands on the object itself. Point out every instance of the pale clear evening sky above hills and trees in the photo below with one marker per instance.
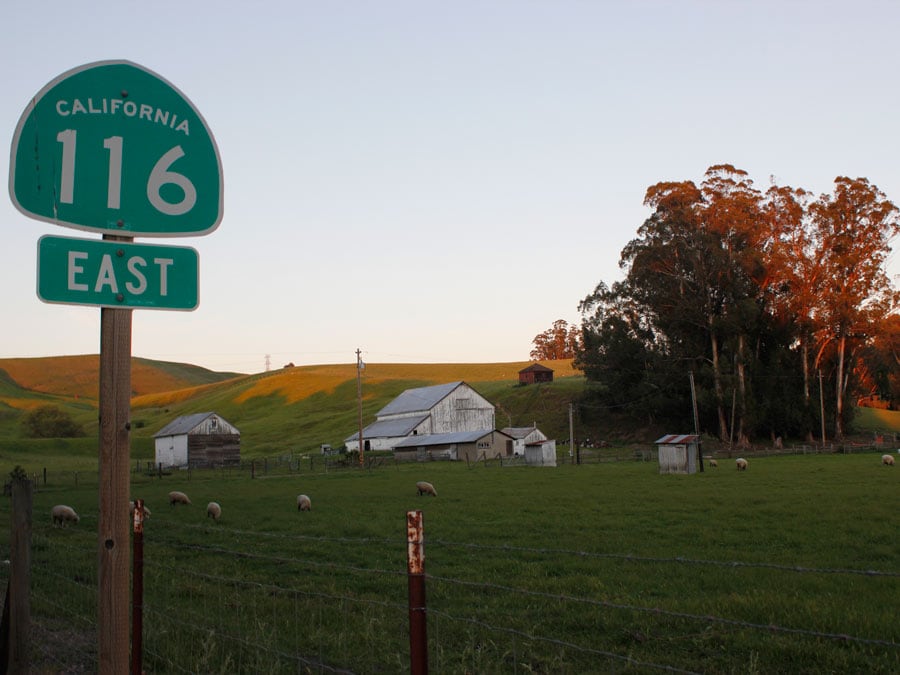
(439, 182)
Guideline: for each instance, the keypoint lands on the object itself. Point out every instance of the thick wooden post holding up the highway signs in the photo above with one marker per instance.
(113, 539)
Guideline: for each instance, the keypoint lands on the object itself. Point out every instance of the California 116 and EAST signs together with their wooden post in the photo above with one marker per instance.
(113, 148)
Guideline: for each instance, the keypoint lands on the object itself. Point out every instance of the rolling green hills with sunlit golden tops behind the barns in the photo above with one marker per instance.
(296, 409)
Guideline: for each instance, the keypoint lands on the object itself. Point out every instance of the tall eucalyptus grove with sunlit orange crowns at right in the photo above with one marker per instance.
(776, 302)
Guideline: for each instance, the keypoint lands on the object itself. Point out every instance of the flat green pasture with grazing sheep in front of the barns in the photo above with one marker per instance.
(790, 567)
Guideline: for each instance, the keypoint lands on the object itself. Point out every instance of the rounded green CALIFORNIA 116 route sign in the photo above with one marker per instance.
(112, 147)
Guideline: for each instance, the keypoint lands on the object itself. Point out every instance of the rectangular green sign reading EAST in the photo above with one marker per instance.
(117, 274)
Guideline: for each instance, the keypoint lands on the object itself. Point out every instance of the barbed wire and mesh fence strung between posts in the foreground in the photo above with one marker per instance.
(228, 600)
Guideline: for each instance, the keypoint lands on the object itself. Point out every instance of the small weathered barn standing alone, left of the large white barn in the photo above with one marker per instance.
(200, 440)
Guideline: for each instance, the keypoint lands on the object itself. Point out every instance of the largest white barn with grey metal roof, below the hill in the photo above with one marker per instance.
(439, 409)
